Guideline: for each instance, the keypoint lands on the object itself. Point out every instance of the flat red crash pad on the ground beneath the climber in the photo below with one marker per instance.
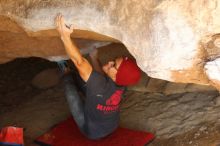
(67, 133)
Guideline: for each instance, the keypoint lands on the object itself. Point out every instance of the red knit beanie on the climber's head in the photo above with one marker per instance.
(128, 72)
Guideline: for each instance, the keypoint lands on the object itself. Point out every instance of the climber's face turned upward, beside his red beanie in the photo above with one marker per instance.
(111, 67)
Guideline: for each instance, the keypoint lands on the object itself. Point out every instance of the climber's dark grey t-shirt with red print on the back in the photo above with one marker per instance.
(103, 97)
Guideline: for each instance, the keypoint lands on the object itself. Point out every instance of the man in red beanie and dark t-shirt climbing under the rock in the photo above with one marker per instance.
(98, 115)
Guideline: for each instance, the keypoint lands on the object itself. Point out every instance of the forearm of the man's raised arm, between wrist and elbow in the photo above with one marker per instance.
(72, 50)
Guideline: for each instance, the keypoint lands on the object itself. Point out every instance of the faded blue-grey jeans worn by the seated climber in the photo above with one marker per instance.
(72, 85)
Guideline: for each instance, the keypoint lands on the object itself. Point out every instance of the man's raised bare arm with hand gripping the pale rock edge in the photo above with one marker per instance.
(72, 50)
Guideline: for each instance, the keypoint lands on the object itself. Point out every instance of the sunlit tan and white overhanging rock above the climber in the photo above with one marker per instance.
(170, 39)
